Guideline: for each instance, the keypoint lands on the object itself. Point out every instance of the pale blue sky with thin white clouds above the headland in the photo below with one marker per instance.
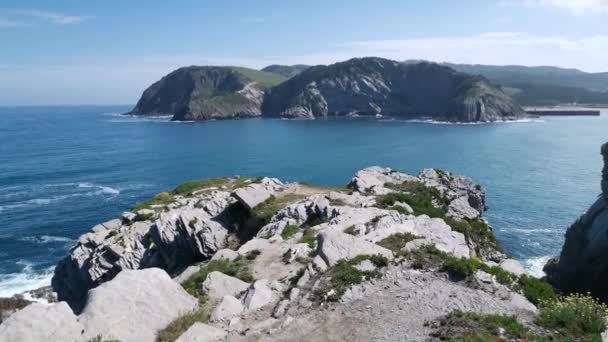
(73, 52)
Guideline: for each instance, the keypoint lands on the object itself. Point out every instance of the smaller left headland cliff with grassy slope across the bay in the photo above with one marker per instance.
(203, 93)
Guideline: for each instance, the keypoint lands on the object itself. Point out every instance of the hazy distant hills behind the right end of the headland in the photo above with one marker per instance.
(544, 85)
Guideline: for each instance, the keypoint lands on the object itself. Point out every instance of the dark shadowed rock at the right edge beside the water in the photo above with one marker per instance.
(581, 266)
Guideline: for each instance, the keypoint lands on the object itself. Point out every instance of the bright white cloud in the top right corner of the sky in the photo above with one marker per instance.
(577, 7)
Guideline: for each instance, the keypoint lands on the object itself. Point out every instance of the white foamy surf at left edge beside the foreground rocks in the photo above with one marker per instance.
(26, 280)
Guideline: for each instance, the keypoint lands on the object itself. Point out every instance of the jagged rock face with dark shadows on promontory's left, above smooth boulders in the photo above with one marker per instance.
(189, 229)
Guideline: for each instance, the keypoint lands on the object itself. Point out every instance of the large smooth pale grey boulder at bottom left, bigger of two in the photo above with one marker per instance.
(135, 305)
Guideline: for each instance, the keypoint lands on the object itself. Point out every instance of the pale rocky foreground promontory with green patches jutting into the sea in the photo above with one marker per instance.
(391, 257)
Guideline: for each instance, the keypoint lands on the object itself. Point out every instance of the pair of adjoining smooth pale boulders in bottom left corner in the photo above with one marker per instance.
(131, 307)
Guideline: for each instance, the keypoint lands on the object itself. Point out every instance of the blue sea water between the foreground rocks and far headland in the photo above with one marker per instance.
(62, 170)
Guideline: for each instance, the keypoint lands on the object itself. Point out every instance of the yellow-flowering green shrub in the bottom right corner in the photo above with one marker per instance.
(579, 317)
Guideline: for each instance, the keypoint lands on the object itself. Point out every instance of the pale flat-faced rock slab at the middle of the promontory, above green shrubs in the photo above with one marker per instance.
(335, 245)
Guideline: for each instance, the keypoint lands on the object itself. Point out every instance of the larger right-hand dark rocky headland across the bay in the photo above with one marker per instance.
(371, 86)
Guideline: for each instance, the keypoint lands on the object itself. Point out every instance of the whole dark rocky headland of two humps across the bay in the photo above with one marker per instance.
(360, 86)
